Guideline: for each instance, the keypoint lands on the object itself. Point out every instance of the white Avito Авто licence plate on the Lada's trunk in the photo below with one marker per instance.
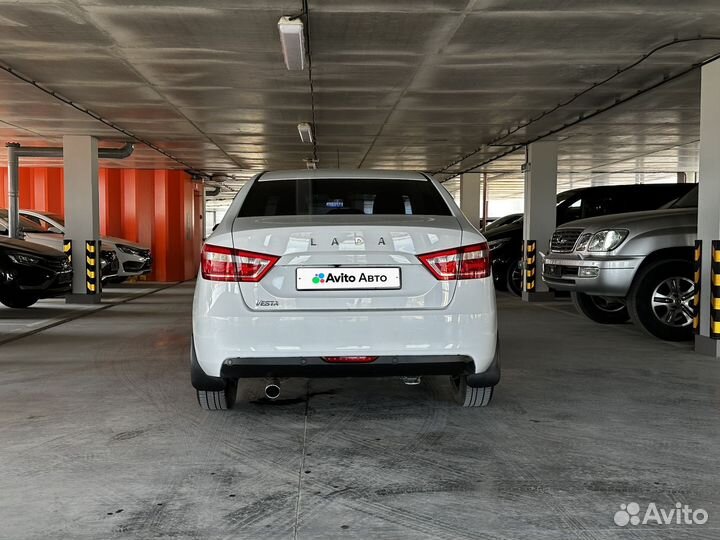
(348, 278)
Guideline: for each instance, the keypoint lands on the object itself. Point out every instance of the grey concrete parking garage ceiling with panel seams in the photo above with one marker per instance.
(411, 84)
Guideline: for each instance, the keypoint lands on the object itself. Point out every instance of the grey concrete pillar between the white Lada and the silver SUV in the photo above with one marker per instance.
(540, 203)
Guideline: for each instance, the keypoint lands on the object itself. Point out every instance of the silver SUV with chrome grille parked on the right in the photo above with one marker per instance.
(632, 266)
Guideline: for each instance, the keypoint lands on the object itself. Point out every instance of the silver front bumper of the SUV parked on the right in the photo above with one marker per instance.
(605, 277)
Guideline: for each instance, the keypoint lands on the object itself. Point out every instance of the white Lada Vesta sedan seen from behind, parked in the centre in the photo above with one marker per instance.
(333, 273)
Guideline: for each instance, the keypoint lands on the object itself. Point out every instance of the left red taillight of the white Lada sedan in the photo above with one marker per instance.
(226, 264)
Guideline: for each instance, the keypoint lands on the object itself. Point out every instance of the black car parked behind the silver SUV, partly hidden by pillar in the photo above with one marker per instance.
(506, 241)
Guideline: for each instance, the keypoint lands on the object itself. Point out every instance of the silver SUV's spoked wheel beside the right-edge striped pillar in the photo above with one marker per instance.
(660, 308)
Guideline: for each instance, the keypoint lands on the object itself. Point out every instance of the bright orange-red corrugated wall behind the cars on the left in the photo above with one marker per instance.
(158, 208)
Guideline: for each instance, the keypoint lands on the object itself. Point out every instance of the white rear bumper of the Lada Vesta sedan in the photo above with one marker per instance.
(227, 333)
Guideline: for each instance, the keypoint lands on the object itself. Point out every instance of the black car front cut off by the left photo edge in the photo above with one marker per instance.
(31, 271)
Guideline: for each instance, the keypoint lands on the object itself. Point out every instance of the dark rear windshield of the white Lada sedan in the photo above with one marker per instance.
(327, 196)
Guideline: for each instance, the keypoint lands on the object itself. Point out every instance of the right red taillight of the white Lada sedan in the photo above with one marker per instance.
(466, 262)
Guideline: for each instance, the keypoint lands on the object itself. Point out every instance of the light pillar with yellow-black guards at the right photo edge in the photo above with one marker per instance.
(709, 196)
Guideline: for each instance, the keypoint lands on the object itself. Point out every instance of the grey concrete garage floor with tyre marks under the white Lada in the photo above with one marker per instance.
(101, 437)
